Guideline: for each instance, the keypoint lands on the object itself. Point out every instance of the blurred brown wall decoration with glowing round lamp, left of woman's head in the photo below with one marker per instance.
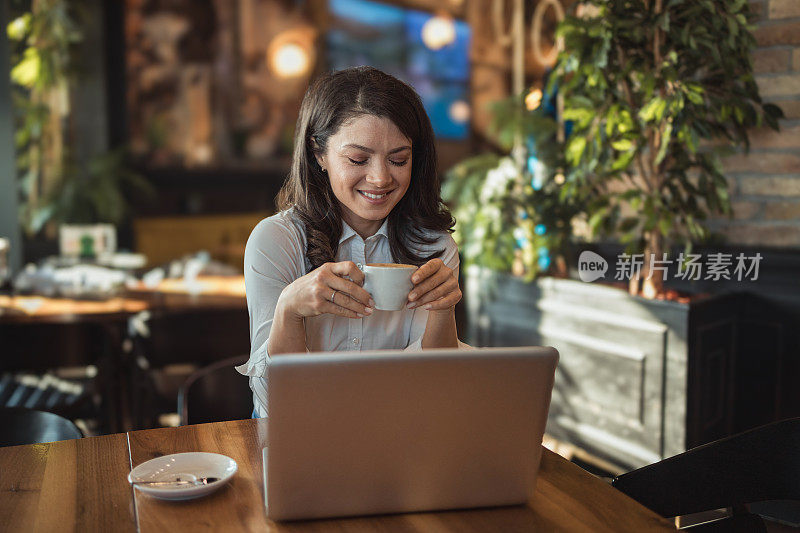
(215, 83)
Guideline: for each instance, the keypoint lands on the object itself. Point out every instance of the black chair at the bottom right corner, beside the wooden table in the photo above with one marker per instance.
(761, 464)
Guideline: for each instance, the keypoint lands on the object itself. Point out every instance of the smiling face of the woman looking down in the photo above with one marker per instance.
(369, 165)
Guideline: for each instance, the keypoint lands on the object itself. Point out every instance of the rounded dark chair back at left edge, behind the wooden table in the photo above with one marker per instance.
(21, 425)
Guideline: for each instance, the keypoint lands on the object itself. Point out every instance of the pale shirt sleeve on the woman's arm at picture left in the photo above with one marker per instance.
(273, 258)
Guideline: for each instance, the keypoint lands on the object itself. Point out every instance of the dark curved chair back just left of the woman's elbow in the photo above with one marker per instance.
(215, 393)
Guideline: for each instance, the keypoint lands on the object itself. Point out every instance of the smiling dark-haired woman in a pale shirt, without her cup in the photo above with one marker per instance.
(362, 189)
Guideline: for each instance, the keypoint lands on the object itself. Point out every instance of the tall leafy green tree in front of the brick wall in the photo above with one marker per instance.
(645, 82)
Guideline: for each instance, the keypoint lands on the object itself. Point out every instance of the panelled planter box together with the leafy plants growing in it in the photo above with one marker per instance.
(646, 100)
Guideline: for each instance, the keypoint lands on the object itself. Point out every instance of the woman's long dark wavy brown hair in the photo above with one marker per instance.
(332, 100)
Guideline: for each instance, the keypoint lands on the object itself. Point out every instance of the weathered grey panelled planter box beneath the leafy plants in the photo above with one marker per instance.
(638, 380)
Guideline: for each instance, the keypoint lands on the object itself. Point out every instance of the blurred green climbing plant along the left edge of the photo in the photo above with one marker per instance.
(54, 186)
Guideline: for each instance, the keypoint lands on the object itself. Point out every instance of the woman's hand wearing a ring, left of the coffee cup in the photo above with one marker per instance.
(326, 290)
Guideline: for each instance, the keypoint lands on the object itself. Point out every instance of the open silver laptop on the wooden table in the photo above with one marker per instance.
(392, 431)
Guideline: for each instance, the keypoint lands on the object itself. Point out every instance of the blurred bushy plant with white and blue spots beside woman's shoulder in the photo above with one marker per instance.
(507, 204)
